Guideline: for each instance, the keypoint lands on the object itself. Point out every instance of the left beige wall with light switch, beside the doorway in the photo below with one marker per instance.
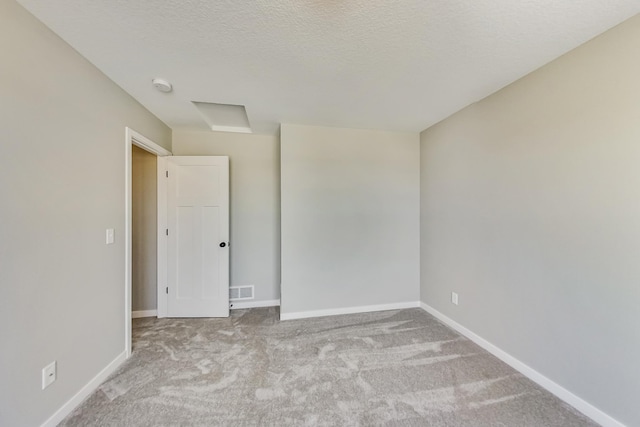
(62, 130)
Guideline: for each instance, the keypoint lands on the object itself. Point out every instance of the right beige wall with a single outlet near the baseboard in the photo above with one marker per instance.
(531, 212)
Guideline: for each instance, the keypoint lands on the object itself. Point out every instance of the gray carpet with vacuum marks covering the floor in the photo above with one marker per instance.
(392, 368)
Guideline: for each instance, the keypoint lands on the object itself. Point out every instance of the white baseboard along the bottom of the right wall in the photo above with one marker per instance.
(581, 405)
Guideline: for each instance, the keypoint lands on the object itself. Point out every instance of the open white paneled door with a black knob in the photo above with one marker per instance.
(198, 236)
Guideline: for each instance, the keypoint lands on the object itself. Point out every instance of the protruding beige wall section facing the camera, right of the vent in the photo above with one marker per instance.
(350, 218)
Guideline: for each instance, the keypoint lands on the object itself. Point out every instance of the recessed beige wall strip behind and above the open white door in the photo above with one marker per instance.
(255, 208)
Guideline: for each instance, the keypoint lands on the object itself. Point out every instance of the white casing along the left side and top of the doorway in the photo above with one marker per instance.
(132, 138)
